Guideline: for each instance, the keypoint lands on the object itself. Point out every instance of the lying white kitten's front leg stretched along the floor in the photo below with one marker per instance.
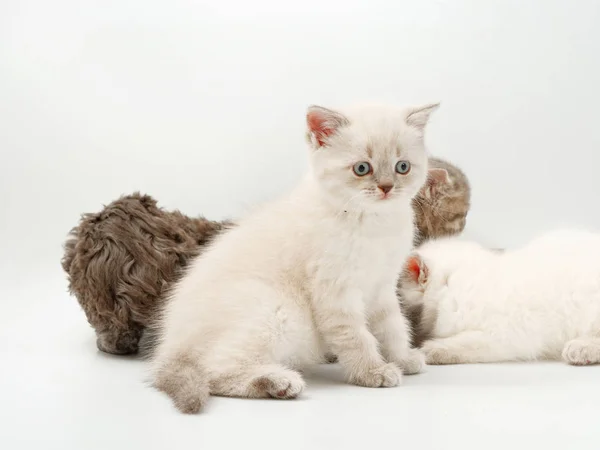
(464, 348)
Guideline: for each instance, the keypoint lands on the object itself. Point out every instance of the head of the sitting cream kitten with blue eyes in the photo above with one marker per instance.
(371, 157)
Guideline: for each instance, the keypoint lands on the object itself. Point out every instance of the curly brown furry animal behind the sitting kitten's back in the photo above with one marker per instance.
(121, 260)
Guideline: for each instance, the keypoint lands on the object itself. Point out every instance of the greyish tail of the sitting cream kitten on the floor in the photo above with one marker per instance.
(183, 379)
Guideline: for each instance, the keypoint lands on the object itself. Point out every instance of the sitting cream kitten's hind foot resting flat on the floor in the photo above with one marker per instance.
(257, 381)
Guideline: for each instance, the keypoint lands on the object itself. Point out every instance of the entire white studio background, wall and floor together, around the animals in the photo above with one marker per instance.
(201, 104)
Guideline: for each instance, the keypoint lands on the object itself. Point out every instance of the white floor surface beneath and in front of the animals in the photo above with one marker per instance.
(58, 392)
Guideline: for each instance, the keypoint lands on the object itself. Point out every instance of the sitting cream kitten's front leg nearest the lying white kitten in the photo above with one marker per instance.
(391, 329)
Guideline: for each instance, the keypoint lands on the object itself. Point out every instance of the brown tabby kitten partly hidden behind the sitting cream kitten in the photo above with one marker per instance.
(441, 207)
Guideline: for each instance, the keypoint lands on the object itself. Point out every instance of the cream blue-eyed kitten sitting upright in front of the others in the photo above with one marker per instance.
(312, 272)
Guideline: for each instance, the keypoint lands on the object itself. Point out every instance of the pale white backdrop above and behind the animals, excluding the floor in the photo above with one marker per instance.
(201, 104)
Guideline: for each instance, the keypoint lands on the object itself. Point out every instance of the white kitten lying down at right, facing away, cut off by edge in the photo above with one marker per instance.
(479, 305)
